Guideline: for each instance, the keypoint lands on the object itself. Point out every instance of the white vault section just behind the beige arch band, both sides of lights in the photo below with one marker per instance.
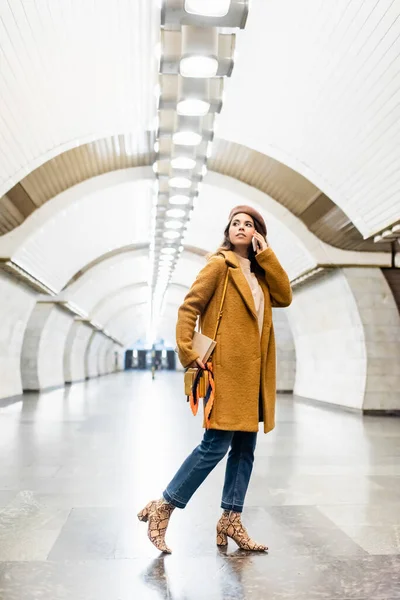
(110, 212)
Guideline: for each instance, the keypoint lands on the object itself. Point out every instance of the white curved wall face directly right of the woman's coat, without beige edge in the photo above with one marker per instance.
(329, 341)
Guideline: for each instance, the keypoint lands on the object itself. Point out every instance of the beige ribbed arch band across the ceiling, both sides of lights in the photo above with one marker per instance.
(292, 190)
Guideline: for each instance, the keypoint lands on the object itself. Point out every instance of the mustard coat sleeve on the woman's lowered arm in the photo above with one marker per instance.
(194, 304)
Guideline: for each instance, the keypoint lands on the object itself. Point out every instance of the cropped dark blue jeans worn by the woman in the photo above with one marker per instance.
(205, 457)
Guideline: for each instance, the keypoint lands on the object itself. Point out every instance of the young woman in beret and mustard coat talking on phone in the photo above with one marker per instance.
(244, 372)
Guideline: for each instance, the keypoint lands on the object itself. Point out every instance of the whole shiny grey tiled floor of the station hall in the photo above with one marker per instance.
(77, 464)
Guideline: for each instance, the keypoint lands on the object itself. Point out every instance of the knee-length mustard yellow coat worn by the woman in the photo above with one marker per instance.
(244, 366)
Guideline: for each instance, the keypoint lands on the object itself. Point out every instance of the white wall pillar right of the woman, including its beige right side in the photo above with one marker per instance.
(346, 329)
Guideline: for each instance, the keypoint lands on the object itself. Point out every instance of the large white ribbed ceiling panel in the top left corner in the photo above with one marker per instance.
(72, 72)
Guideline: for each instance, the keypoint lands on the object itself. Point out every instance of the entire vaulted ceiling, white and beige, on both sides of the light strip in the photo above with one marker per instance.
(308, 133)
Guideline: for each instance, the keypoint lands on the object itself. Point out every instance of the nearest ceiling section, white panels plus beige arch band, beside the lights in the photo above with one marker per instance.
(324, 104)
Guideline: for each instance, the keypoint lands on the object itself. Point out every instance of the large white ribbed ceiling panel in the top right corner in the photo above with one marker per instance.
(317, 86)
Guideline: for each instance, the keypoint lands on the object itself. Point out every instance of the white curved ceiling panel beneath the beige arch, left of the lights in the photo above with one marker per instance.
(74, 232)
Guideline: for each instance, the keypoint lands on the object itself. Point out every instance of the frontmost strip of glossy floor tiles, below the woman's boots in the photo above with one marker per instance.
(217, 577)
